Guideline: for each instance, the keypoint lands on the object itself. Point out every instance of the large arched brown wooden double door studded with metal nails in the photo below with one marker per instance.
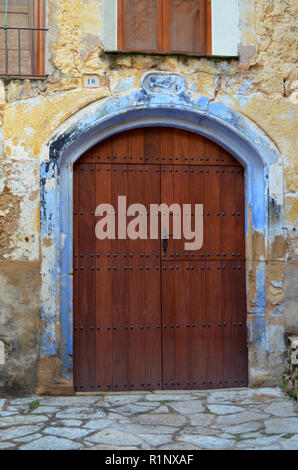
(146, 319)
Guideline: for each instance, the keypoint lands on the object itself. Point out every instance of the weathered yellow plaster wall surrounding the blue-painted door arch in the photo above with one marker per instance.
(261, 86)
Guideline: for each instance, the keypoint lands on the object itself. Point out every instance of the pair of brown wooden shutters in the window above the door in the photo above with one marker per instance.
(168, 26)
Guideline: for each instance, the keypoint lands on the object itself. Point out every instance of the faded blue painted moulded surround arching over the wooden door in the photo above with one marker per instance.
(172, 106)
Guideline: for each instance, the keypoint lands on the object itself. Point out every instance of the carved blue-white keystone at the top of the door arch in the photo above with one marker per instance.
(163, 82)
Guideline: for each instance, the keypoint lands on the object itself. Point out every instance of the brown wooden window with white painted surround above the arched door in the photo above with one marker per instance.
(194, 27)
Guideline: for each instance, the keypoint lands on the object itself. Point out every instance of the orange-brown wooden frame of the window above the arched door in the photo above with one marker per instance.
(163, 28)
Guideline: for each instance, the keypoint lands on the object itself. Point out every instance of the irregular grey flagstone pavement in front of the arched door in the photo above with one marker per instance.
(221, 419)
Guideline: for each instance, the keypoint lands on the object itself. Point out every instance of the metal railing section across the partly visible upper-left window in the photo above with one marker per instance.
(23, 52)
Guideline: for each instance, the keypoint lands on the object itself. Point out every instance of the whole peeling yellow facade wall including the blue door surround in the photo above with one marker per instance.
(247, 106)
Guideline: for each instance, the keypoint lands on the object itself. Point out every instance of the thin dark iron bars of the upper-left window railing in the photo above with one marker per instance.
(7, 73)
